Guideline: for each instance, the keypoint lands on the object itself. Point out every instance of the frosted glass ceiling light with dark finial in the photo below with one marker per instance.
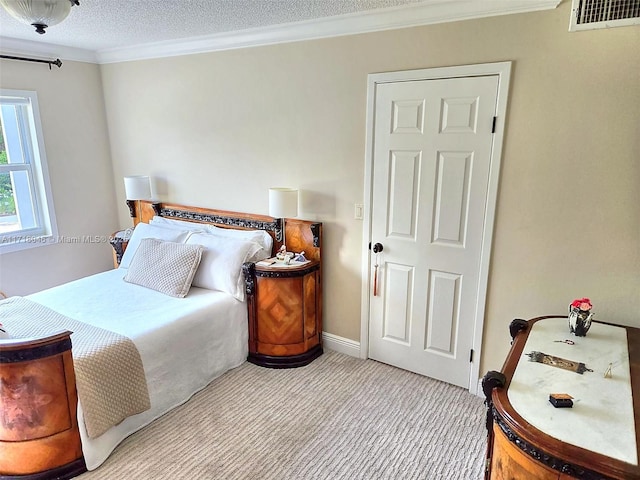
(39, 13)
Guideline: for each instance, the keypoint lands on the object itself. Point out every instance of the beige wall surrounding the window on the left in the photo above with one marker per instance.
(77, 150)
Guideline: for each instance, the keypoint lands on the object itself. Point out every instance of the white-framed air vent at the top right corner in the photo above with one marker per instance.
(591, 14)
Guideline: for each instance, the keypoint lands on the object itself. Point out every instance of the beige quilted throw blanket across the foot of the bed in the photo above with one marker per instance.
(109, 374)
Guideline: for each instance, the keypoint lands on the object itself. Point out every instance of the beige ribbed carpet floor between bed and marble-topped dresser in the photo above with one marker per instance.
(338, 418)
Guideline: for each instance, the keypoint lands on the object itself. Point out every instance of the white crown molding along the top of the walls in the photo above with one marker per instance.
(411, 15)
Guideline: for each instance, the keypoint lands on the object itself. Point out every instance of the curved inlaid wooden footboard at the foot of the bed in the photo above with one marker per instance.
(39, 428)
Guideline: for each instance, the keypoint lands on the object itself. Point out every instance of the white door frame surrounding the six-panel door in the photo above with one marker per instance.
(503, 71)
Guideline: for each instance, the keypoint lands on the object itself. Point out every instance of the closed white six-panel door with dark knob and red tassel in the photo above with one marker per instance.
(432, 151)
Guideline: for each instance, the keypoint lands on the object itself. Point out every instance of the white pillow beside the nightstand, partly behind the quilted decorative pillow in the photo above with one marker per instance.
(221, 265)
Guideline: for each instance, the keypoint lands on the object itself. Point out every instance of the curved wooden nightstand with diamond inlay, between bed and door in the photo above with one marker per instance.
(285, 314)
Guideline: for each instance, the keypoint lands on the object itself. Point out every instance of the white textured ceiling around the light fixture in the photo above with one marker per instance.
(106, 24)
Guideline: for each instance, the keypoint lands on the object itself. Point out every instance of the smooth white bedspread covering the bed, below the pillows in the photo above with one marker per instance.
(184, 342)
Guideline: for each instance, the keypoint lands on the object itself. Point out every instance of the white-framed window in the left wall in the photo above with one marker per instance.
(26, 209)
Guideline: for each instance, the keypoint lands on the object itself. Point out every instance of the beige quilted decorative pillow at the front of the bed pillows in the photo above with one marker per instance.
(167, 267)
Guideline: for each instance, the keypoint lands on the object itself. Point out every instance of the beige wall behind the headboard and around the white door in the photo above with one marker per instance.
(219, 129)
